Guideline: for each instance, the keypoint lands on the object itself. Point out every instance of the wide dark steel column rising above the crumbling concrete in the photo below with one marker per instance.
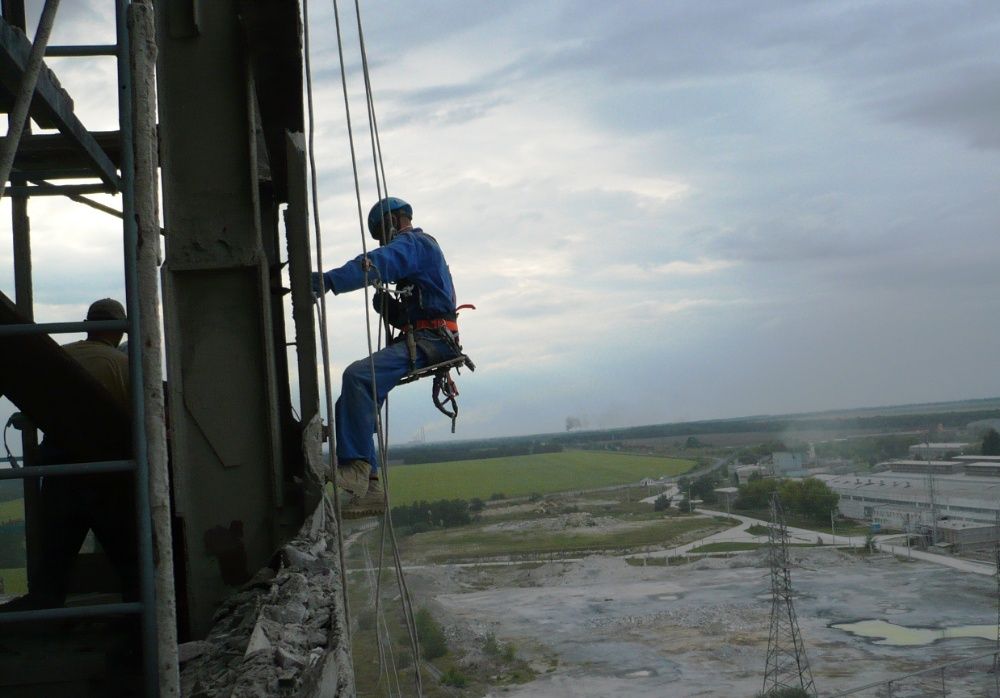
(221, 370)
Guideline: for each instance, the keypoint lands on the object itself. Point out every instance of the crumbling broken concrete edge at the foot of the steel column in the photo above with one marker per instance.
(284, 632)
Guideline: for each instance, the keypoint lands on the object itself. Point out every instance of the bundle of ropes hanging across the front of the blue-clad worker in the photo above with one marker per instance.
(380, 430)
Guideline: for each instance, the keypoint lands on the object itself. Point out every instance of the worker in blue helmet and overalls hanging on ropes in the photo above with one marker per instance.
(425, 314)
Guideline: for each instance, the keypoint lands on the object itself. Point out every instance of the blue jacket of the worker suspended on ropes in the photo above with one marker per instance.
(412, 258)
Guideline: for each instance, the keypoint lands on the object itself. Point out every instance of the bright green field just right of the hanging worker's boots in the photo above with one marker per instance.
(515, 476)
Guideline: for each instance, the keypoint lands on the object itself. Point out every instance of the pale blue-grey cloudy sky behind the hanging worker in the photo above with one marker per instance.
(662, 210)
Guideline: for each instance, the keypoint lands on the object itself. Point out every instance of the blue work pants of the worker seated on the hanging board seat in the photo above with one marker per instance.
(355, 410)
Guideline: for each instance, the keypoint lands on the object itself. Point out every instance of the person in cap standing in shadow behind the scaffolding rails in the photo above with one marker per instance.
(73, 505)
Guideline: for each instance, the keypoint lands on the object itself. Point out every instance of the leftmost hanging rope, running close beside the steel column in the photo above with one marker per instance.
(324, 340)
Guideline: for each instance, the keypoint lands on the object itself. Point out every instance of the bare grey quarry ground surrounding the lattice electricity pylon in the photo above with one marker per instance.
(596, 626)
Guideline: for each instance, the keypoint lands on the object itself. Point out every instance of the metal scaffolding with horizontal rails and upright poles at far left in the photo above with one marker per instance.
(32, 357)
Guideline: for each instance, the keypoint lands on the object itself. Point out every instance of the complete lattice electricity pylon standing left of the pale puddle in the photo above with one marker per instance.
(787, 665)
